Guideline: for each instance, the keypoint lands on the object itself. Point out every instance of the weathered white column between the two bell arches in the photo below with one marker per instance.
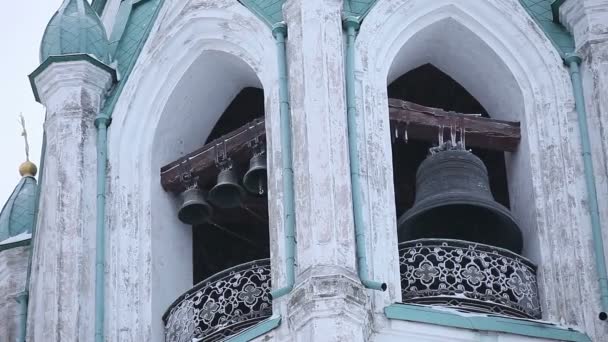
(328, 302)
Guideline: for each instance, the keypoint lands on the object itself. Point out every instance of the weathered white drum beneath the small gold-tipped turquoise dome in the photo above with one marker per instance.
(13, 270)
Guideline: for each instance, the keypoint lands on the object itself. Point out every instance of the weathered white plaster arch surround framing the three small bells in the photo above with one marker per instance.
(199, 55)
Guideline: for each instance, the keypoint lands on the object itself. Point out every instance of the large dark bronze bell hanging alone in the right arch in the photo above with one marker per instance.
(453, 201)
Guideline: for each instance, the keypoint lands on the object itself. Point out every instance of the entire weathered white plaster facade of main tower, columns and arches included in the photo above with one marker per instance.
(199, 55)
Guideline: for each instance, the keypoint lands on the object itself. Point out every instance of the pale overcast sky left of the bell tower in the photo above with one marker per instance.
(22, 24)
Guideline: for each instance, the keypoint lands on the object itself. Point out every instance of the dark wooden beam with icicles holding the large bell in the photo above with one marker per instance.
(424, 123)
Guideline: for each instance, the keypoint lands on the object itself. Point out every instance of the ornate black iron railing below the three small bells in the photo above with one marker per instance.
(221, 305)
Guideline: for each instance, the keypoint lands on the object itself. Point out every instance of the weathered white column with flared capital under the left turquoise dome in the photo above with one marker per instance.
(62, 291)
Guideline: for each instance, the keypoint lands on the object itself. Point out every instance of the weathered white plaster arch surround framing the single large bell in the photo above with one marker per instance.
(507, 63)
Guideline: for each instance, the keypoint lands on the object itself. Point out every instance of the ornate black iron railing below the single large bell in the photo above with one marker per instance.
(468, 276)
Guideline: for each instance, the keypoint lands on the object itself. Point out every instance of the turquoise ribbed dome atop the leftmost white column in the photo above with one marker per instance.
(75, 29)
